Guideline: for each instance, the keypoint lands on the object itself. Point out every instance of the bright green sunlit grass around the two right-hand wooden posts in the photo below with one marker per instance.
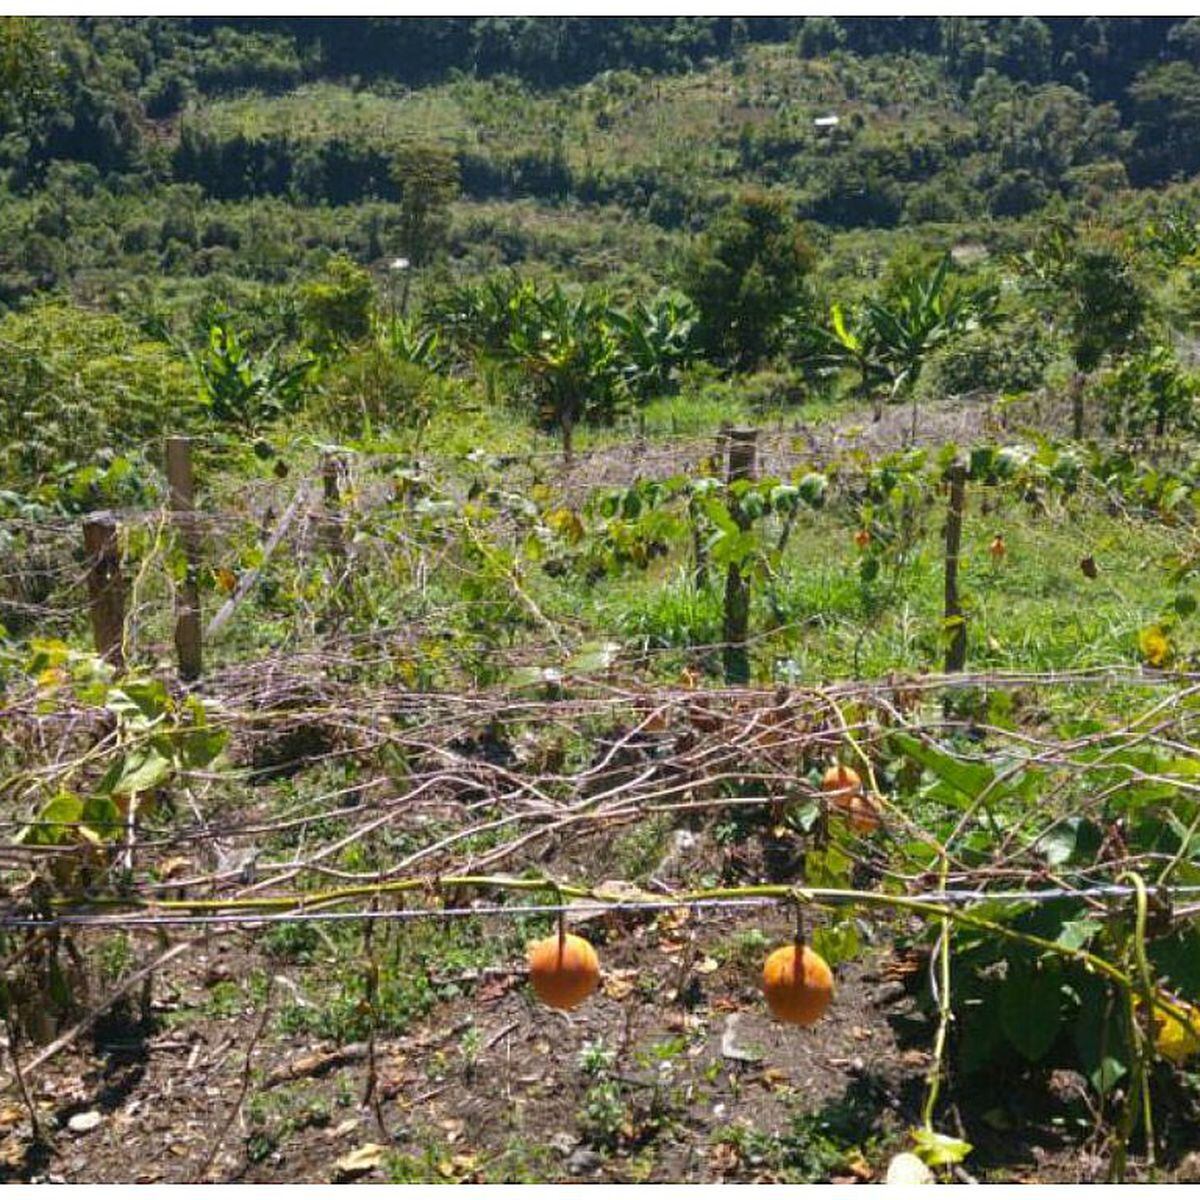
(1035, 611)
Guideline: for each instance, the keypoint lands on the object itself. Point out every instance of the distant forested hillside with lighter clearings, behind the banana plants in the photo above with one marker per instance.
(122, 135)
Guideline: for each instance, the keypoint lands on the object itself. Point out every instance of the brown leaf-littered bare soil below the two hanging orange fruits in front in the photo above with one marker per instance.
(673, 1072)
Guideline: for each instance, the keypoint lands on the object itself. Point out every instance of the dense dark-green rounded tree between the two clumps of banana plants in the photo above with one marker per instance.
(746, 275)
